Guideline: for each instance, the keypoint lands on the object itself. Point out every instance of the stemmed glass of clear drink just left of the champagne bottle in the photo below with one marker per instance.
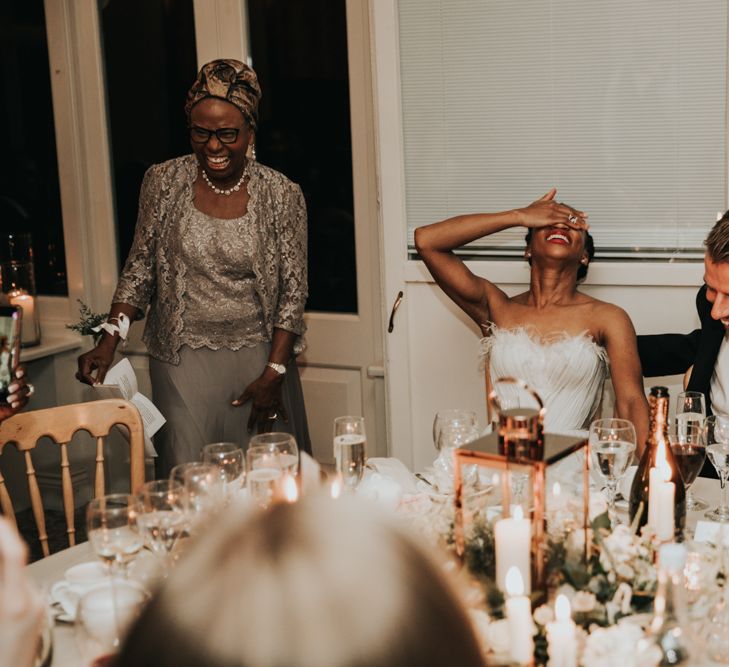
(612, 443)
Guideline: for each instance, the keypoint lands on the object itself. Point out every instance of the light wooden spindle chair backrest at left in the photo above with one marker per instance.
(59, 424)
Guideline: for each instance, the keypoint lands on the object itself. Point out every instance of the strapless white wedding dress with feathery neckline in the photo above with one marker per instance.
(566, 371)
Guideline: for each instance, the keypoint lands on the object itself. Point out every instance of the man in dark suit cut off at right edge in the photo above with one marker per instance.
(706, 349)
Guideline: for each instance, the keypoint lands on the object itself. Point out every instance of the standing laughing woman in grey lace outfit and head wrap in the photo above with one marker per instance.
(219, 256)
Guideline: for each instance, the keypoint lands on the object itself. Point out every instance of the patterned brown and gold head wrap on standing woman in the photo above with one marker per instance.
(230, 80)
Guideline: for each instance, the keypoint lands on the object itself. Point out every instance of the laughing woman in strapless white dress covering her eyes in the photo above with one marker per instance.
(560, 341)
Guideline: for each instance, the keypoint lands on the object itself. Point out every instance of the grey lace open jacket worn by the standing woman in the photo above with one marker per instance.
(154, 274)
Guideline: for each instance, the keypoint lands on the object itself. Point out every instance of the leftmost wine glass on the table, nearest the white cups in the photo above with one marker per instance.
(111, 525)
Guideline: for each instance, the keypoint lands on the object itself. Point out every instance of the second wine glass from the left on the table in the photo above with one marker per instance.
(162, 516)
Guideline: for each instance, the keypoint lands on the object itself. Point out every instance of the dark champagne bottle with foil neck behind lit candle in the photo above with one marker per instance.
(639, 491)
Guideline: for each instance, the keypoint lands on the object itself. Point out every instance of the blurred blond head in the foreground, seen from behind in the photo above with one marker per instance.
(315, 584)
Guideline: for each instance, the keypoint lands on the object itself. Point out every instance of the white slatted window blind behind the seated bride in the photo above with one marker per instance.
(621, 105)
